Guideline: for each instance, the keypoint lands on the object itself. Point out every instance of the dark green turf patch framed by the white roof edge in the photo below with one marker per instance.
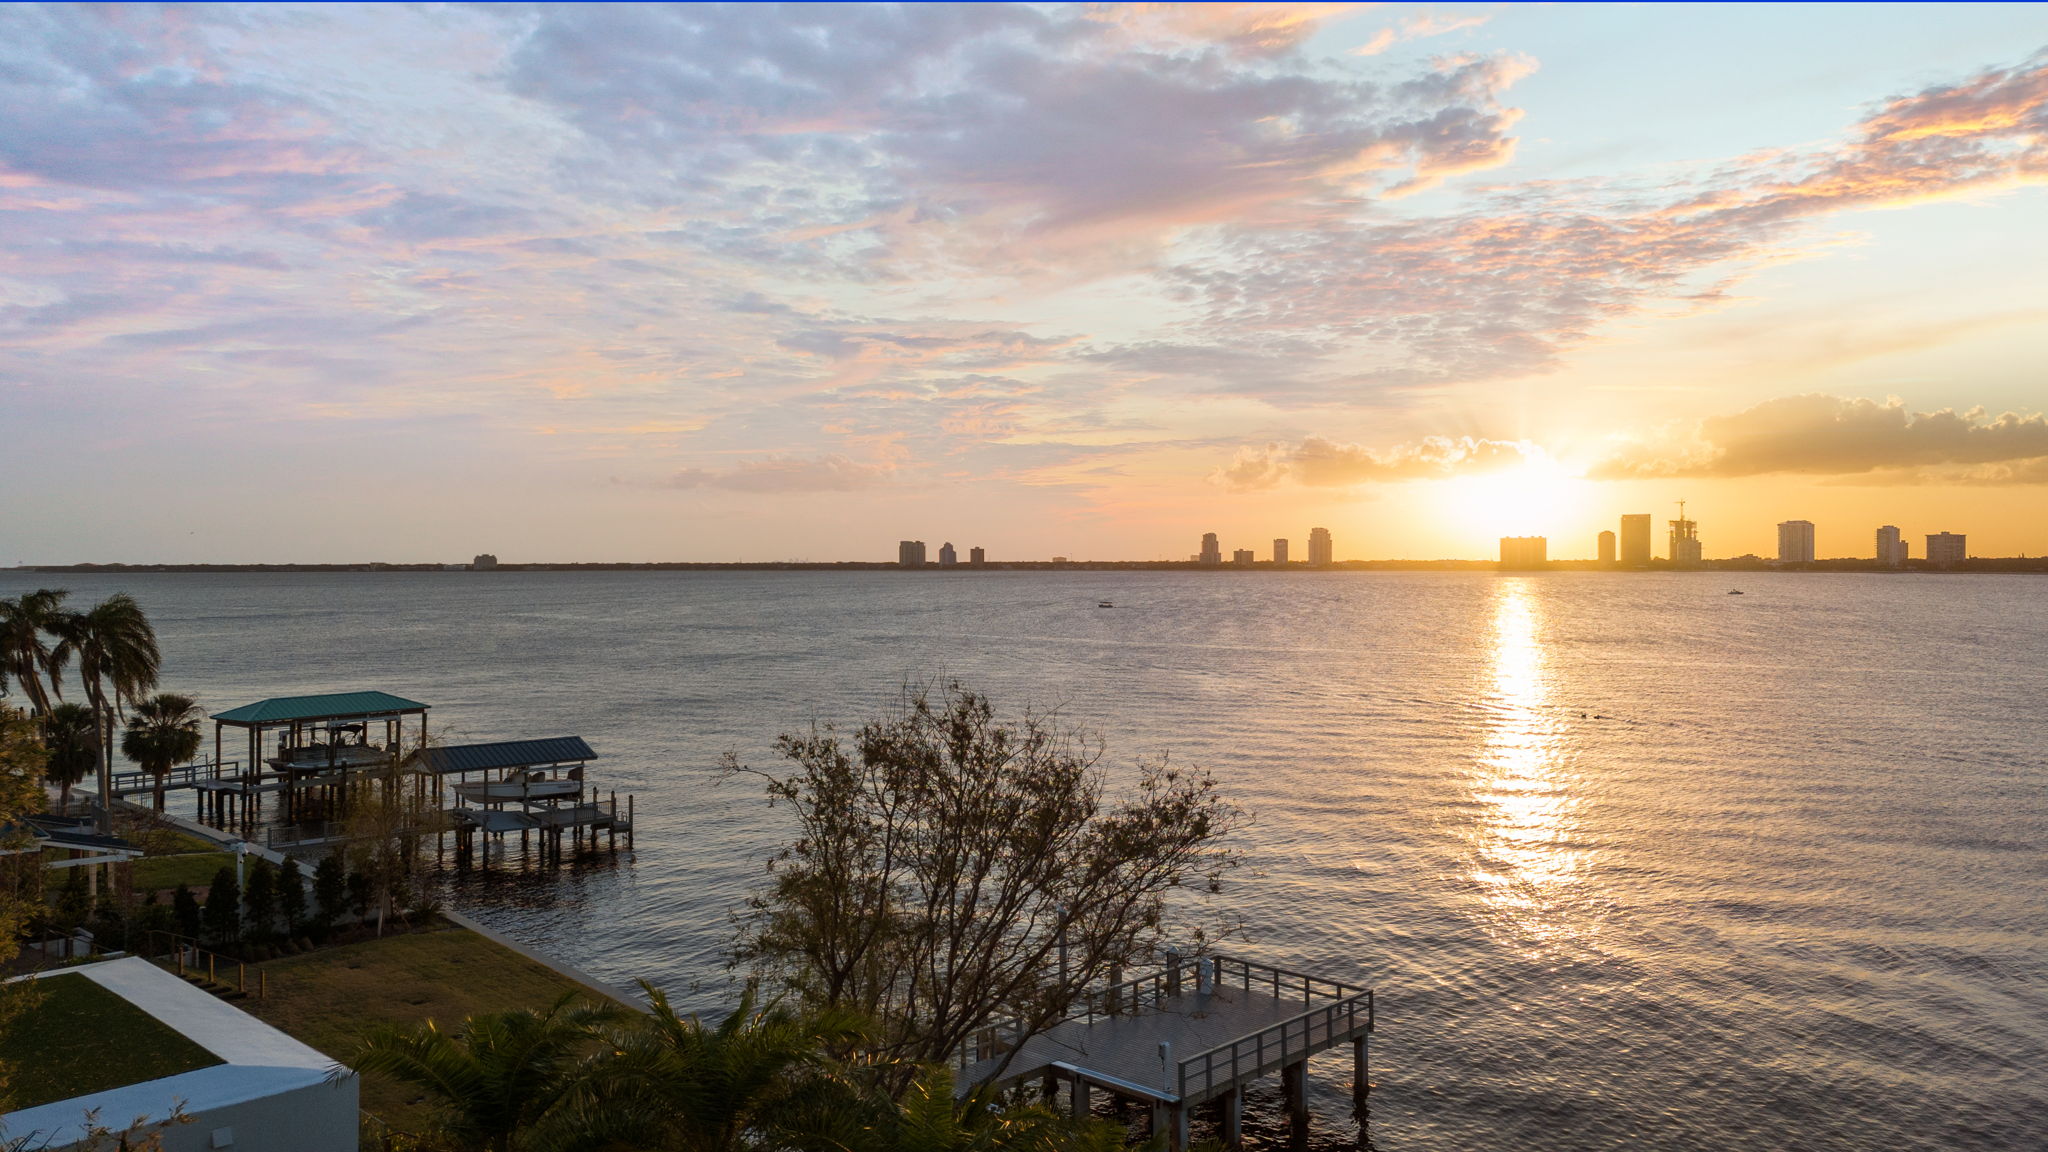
(81, 1038)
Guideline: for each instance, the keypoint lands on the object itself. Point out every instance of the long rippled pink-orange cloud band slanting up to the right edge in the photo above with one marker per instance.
(1508, 286)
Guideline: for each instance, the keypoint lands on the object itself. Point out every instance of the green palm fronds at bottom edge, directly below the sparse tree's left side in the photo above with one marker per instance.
(759, 1079)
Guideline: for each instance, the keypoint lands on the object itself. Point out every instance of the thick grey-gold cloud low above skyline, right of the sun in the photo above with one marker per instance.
(1834, 436)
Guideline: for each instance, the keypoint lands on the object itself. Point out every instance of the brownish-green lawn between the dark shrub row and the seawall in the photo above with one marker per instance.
(441, 975)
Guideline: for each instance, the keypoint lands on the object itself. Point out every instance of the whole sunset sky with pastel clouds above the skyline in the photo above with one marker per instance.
(333, 284)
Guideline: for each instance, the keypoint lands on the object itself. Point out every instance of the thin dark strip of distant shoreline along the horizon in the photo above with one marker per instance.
(2020, 565)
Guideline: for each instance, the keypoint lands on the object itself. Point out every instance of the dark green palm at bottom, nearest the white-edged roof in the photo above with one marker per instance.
(497, 1077)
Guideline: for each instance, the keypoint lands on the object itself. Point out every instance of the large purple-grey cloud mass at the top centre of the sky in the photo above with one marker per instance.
(972, 132)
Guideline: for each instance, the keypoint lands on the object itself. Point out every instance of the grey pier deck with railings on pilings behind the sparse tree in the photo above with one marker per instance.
(1193, 1034)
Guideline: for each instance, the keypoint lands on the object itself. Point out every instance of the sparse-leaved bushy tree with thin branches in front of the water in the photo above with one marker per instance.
(951, 872)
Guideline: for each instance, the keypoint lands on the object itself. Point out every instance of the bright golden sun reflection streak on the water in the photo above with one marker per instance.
(1529, 866)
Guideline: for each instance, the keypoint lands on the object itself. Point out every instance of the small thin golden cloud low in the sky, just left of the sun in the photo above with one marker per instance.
(1328, 464)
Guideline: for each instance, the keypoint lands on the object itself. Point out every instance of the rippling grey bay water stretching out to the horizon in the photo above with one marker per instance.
(1629, 862)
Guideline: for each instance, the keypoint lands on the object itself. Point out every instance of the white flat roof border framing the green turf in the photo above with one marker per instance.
(257, 1059)
